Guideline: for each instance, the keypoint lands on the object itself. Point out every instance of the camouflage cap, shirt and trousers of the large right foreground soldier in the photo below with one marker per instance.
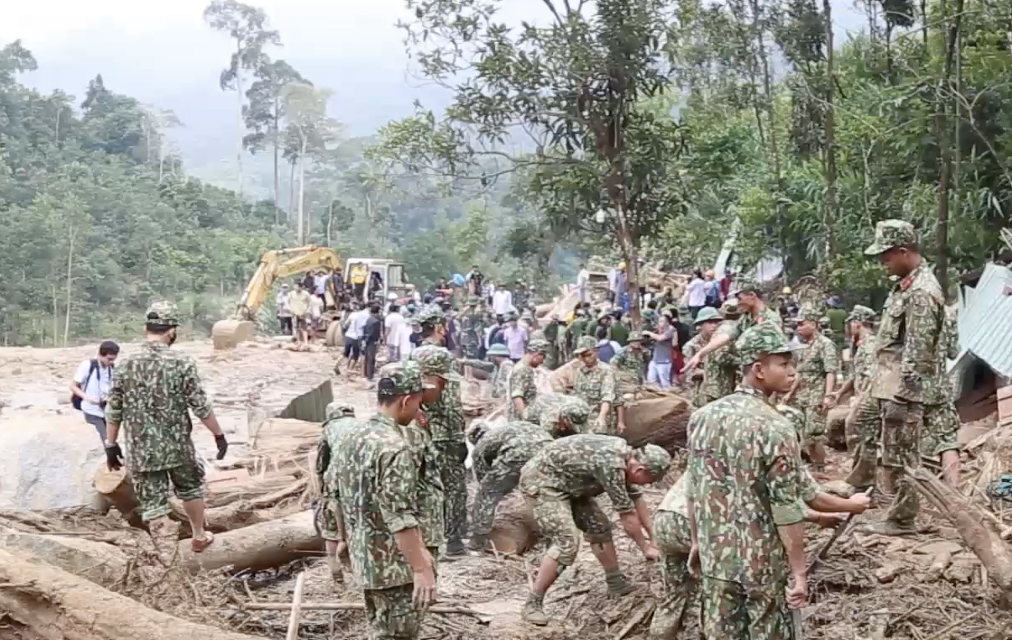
(744, 481)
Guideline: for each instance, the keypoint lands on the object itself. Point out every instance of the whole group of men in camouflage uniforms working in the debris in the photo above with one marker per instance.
(395, 486)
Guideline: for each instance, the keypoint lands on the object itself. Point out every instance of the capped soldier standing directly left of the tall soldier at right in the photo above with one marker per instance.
(863, 421)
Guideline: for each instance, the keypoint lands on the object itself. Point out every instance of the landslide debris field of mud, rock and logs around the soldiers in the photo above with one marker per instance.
(69, 572)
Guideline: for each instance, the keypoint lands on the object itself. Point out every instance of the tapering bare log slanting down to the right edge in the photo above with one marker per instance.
(981, 529)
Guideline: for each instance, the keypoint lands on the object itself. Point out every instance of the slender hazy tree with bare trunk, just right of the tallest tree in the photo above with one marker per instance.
(266, 113)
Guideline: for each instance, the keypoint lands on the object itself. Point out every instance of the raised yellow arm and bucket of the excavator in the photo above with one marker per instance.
(275, 265)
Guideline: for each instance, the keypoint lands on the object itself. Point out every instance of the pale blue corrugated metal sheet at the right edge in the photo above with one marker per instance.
(986, 323)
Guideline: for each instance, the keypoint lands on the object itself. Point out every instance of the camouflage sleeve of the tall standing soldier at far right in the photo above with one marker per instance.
(922, 324)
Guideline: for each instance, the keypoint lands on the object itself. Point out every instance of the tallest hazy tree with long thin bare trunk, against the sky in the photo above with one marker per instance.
(249, 28)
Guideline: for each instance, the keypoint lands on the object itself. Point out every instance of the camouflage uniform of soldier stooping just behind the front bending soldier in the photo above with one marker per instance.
(498, 458)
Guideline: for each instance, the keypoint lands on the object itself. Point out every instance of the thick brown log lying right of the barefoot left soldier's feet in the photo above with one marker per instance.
(262, 546)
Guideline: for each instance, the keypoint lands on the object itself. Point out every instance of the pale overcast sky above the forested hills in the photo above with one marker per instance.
(163, 54)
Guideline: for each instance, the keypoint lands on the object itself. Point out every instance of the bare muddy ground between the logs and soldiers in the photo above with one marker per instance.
(870, 587)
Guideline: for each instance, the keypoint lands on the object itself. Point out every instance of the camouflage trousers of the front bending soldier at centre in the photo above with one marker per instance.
(562, 519)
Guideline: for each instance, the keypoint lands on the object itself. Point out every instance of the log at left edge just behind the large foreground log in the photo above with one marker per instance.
(96, 562)
